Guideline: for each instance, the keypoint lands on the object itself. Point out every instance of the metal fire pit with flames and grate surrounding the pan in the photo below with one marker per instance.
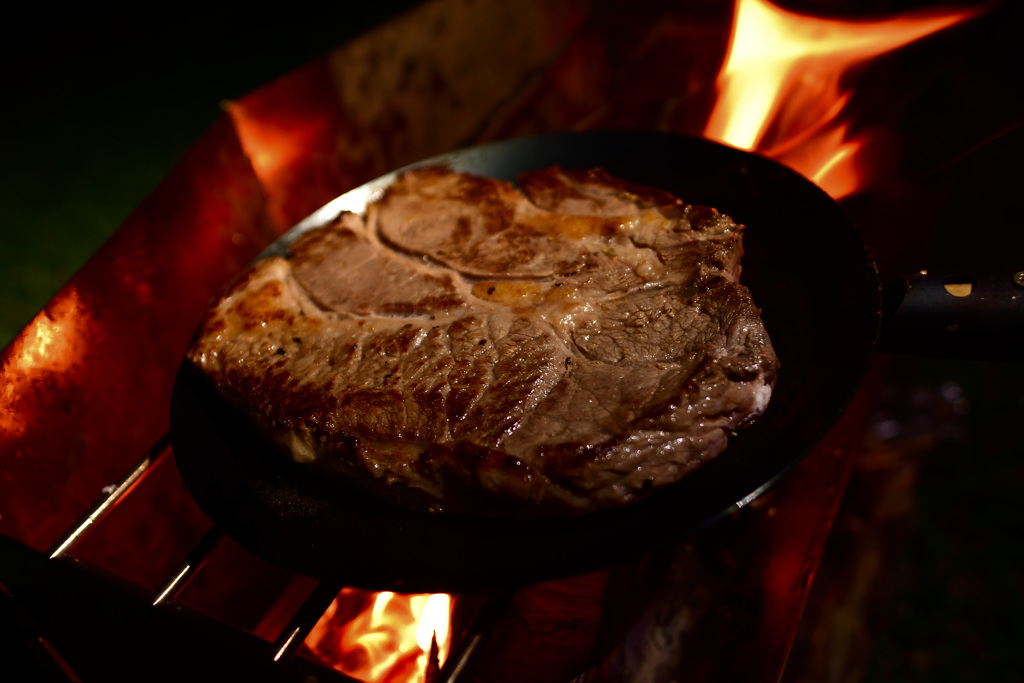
(87, 385)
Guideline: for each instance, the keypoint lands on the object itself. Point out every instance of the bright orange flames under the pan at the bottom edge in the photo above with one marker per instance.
(383, 637)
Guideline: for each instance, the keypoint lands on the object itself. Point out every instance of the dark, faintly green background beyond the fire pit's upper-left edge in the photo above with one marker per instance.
(99, 105)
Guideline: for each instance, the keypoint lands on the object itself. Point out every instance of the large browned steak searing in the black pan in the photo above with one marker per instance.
(563, 347)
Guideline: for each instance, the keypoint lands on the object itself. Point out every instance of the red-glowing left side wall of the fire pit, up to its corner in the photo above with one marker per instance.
(87, 387)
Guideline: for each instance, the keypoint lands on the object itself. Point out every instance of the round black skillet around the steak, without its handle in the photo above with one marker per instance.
(808, 271)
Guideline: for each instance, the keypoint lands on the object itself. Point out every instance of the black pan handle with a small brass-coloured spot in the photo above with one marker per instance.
(955, 317)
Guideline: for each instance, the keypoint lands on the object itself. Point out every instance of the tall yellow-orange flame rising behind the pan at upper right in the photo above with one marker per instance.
(782, 90)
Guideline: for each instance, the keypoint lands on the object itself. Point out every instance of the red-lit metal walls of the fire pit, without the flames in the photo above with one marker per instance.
(87, 387)
